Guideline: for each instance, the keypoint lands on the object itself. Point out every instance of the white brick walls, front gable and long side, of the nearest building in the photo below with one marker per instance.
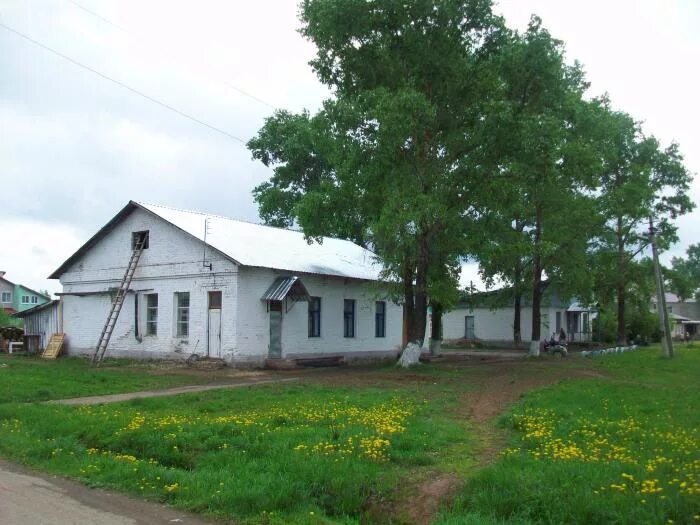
(173, 263)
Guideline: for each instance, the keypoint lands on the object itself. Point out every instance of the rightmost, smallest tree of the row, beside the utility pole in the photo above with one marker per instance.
(641, 182)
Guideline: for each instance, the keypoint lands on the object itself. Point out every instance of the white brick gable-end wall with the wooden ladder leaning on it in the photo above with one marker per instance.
(172, 263)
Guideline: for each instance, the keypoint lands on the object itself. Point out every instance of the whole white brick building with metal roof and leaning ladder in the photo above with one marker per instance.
(248, 293)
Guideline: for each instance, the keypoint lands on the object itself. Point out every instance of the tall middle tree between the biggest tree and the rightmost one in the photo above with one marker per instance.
(548, 167)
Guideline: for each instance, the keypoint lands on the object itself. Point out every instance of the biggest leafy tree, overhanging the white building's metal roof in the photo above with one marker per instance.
(392, 160)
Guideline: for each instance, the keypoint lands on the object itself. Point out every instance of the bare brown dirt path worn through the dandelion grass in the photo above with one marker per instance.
(492, 381)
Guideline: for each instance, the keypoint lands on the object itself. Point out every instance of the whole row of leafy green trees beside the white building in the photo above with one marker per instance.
(450, 136)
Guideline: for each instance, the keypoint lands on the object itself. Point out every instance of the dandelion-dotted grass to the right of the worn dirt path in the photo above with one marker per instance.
(601, 451)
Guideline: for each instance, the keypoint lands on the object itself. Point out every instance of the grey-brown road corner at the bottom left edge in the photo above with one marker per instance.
(28, 498)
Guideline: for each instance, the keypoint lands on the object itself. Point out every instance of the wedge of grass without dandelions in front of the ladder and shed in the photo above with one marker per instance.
(27, 379)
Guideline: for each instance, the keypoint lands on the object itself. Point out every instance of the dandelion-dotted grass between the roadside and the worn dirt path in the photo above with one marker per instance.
(270, 454)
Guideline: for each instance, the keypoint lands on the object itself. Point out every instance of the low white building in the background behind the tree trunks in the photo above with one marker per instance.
(488, 316)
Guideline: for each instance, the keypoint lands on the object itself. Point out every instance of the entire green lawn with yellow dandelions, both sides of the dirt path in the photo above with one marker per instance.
(619, 447)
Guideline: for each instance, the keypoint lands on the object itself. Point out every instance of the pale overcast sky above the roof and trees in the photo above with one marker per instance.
(75, 147)
